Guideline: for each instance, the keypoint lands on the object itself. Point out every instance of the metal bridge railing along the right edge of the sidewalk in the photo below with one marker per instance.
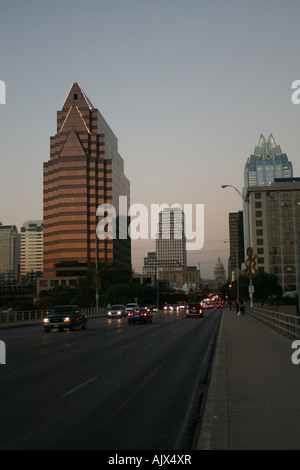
(288, 325)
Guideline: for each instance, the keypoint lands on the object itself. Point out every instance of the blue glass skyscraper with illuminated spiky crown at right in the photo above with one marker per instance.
(262, 168)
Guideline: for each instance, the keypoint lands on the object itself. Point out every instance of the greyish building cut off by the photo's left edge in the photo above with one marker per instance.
(9, 253)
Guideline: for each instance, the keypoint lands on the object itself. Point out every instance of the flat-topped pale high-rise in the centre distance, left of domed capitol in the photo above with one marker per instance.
(170, 241)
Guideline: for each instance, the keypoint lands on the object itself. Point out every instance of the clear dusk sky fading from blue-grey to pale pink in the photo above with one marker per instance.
(187, 86)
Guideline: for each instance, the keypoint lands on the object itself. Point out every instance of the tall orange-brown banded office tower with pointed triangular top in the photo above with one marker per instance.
(85, 170)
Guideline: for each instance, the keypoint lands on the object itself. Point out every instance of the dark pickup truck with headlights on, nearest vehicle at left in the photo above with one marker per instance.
(65, 316)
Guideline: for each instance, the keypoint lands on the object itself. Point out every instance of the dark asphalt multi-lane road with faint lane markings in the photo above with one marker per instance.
(113, 386)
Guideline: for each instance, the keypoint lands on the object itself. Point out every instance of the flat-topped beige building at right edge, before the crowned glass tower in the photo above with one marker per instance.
(274, 215)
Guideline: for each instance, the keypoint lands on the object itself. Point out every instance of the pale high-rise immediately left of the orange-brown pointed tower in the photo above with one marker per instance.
(32, 249)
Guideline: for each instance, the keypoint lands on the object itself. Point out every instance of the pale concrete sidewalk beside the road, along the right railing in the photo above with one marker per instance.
(254, 395)
